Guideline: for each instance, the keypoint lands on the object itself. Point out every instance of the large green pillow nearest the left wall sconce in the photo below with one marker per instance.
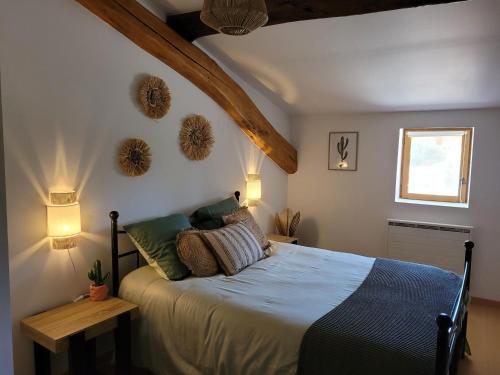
(155, 239)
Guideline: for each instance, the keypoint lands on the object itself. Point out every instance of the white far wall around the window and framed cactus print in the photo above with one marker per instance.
(348, 210)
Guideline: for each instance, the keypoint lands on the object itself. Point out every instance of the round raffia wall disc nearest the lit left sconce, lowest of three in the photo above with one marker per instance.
(134, 157)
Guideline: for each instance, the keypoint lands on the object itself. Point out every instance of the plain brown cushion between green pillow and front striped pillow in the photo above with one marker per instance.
(195, 253)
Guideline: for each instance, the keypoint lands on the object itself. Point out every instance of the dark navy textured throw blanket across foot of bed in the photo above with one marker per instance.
(387, 326)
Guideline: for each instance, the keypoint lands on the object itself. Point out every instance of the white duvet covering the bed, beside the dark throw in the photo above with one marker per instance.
(250, 323)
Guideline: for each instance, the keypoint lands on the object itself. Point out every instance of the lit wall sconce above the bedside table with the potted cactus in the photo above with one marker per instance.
(63, 220)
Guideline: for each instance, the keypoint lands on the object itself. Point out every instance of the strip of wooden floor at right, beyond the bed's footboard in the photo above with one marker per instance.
(484, 339)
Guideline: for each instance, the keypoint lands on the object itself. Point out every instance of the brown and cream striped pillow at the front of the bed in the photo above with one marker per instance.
(235, 247)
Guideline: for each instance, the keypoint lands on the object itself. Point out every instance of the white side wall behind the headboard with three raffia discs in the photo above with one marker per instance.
(69, 84)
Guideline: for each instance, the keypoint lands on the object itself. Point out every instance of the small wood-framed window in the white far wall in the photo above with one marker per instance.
(435, 165)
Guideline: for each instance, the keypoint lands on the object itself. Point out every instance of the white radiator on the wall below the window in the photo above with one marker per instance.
(440, 245)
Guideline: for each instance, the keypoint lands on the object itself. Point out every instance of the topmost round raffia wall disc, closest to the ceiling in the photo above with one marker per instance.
(154, 97)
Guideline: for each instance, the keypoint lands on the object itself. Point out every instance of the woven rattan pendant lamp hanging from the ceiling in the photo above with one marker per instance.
(234, 17)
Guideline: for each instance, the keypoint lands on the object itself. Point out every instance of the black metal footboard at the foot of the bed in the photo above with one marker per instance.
(452, 329)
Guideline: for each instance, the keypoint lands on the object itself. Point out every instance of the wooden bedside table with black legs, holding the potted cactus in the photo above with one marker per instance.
(74, 327)
